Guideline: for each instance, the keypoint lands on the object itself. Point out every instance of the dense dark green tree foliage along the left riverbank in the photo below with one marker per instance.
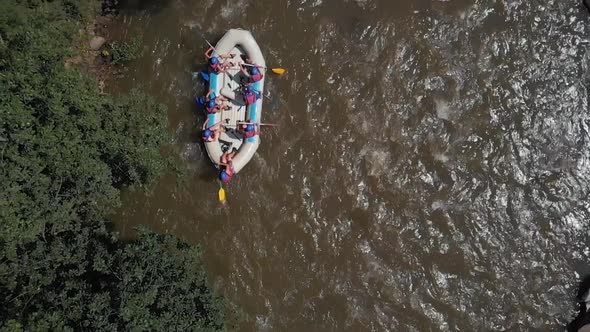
(65, 152)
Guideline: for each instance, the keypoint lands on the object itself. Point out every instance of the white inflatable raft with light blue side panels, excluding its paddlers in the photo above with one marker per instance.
(239, 42)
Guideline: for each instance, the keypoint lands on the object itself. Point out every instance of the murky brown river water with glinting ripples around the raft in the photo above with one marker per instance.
(430, 172)
